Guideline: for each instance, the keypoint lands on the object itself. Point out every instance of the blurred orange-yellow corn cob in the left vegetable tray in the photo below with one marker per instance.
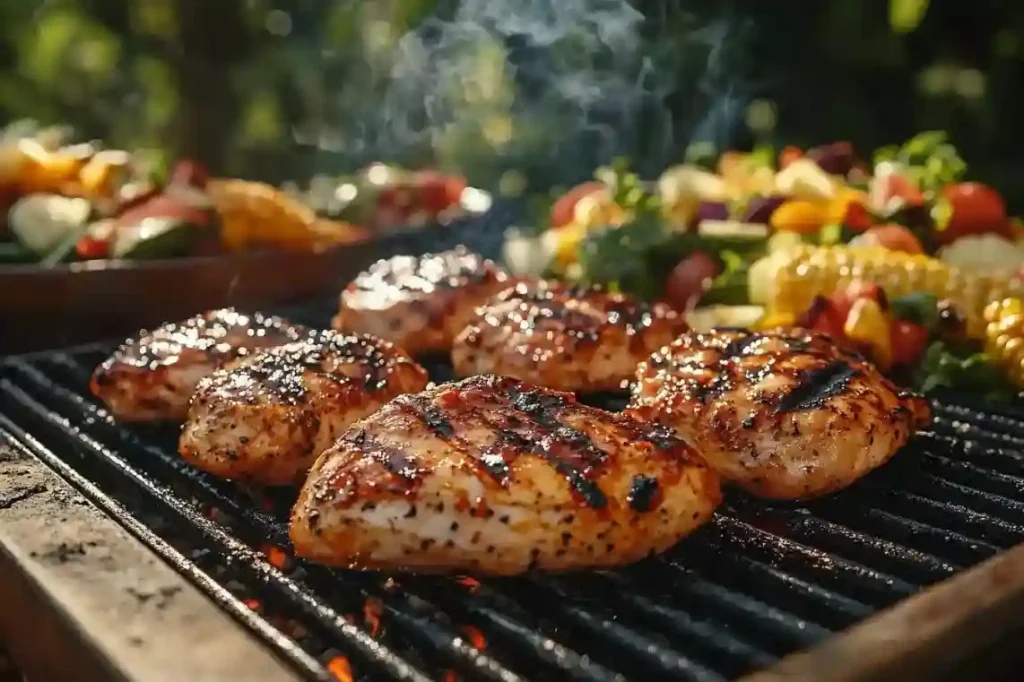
(253, 214)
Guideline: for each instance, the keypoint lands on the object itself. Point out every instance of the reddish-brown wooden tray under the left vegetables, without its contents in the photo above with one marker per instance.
(86, 302)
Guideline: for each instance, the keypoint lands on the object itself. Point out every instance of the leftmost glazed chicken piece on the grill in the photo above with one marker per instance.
(153, 375)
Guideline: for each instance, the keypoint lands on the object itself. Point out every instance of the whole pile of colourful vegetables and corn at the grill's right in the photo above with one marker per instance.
(901, 258)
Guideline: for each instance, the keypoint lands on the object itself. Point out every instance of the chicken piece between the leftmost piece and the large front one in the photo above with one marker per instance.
(266, 419)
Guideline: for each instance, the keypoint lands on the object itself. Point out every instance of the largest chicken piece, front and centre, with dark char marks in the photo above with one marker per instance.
(494, 476)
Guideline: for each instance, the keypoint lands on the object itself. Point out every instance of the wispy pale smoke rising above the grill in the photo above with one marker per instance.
(558, 87)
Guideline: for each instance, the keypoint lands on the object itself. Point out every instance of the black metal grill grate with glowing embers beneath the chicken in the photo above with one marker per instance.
(756, 584)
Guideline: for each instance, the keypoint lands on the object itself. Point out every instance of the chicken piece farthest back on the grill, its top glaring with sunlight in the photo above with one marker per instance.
(419, 304)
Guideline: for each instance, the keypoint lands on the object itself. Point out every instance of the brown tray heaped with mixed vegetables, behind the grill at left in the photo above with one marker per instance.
(93, 242)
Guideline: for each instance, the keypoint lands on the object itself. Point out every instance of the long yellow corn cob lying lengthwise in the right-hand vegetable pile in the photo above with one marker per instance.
(807, 272)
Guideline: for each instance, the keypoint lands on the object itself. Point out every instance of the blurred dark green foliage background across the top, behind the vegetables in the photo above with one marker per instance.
(534, 93)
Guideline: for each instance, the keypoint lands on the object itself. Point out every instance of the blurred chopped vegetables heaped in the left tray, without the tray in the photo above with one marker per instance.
(63, 202)
